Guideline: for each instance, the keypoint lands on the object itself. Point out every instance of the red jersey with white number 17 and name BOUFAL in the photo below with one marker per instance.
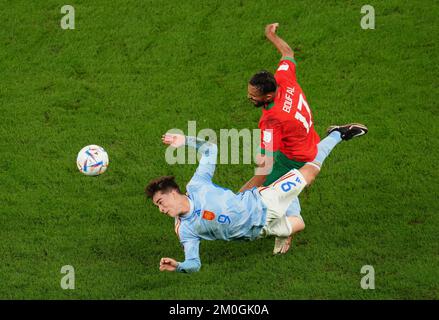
(287, 126)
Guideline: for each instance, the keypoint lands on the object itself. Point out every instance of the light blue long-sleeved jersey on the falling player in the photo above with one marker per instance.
(215, 213)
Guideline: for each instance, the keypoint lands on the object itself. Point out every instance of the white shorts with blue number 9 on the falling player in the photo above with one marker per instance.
(277, 197)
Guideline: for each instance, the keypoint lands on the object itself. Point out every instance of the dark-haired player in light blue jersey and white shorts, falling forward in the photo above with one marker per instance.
(210, 212)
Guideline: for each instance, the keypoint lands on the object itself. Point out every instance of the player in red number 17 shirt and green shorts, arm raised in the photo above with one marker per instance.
(288, 138)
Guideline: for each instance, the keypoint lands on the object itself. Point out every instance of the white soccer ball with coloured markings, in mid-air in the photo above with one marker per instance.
(92, 160)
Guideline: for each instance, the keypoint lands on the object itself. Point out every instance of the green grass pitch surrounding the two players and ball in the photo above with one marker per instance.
(132, 70)
